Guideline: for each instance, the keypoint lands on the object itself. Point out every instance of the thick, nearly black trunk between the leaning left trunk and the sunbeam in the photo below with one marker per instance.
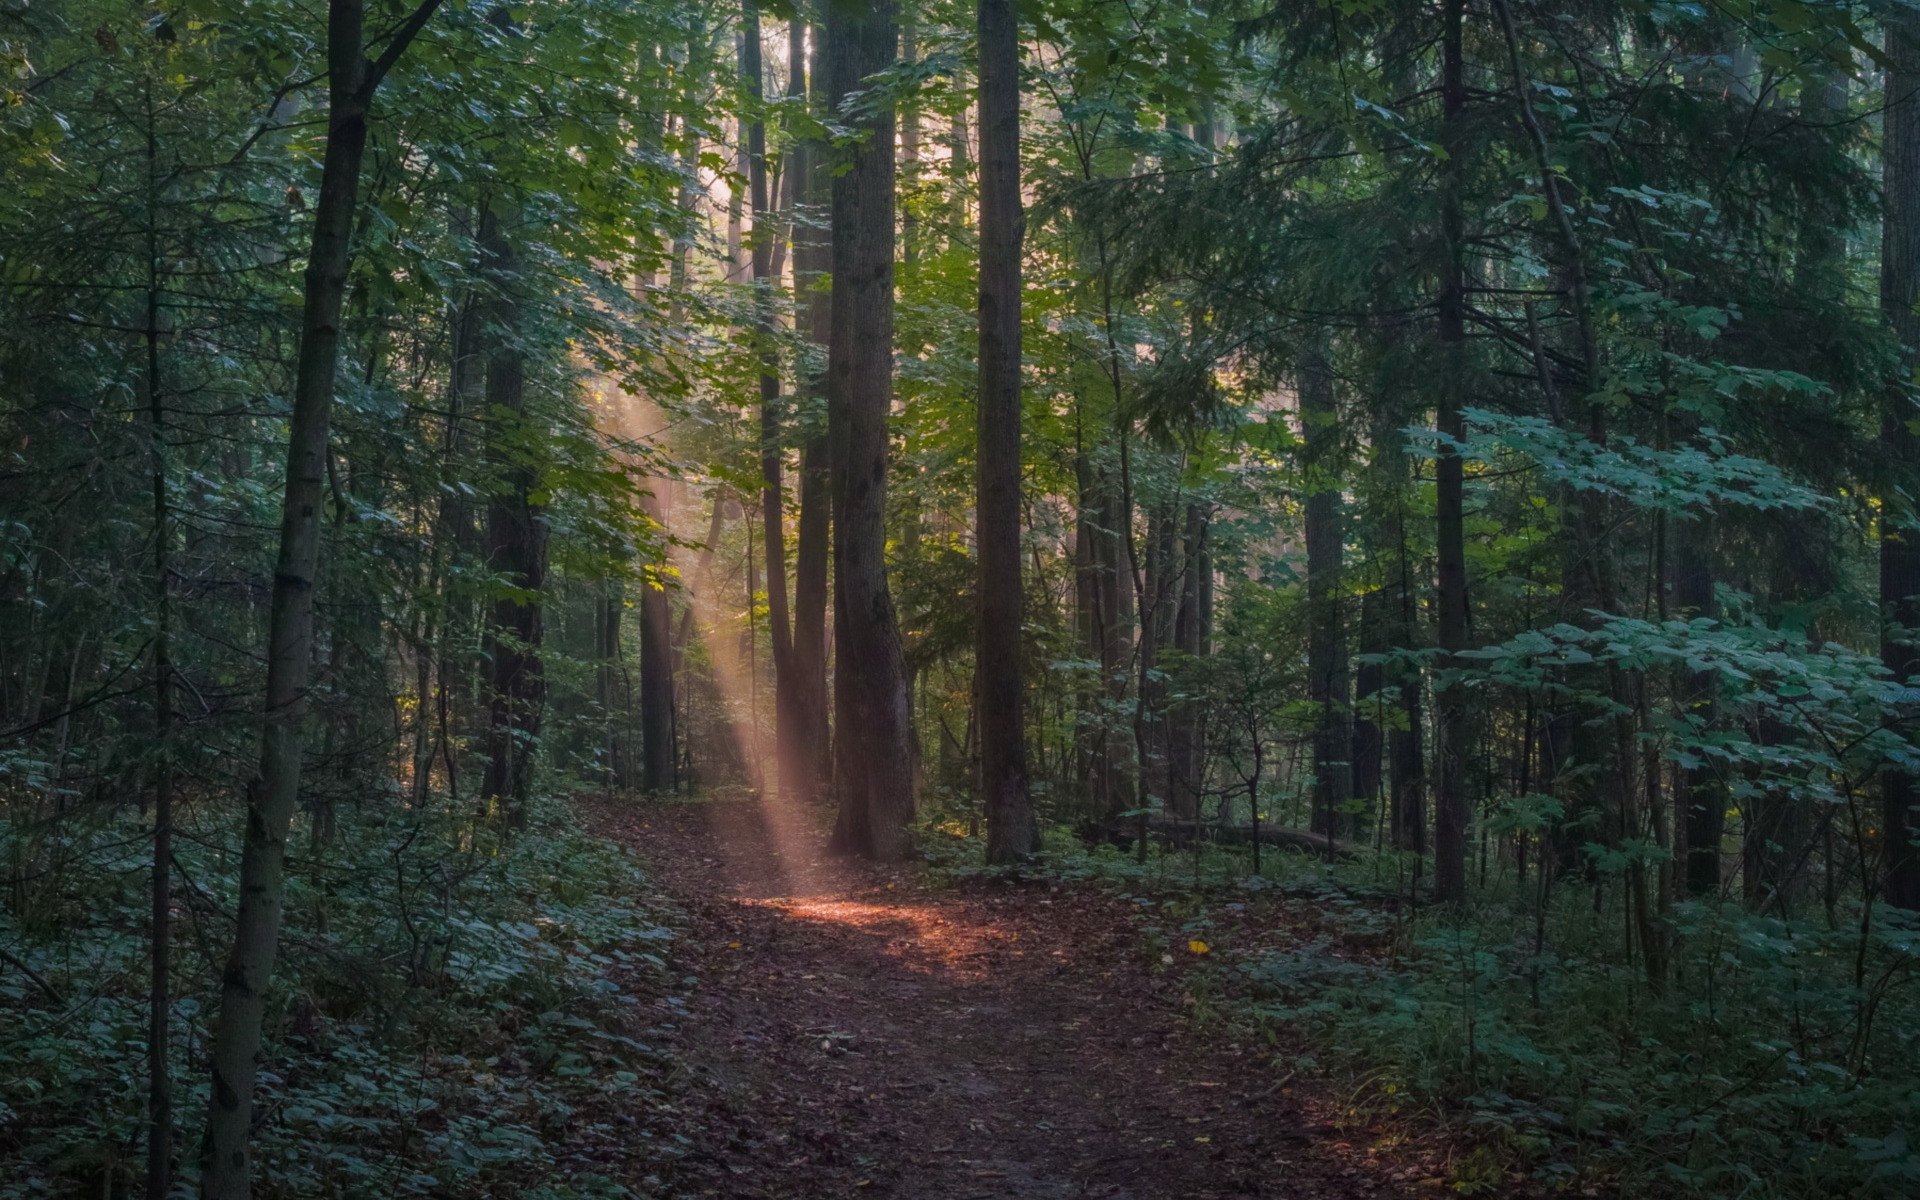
(516, 548)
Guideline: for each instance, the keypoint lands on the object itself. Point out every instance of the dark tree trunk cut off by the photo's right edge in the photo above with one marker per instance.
(1900, 531)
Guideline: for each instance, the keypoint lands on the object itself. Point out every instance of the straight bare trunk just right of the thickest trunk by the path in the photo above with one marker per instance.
(1011, 827)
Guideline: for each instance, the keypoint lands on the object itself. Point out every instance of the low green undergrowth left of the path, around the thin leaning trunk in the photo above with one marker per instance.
(448, 1009)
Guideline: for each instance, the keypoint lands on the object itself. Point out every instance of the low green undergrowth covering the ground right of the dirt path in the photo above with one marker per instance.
(1767, 1061)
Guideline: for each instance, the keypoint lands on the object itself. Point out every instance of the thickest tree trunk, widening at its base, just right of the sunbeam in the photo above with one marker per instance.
(873, 754)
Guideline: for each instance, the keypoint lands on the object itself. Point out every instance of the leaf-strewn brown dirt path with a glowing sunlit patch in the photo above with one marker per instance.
(857, 1034)
